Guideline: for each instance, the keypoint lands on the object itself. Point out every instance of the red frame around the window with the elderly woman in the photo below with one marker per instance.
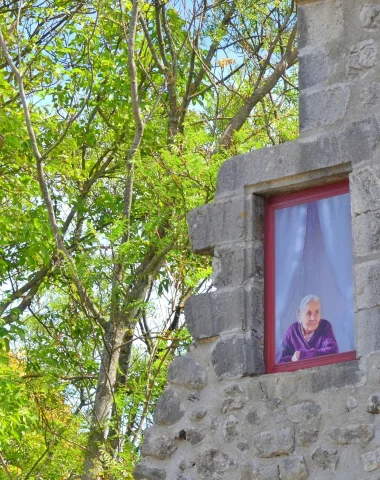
(273, 204)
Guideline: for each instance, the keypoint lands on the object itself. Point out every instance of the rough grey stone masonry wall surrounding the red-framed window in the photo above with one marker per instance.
(221, 417)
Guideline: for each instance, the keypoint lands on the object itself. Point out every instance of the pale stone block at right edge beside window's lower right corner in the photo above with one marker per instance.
(368, 331)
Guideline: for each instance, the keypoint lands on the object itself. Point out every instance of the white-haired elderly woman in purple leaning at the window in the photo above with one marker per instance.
(310, 336)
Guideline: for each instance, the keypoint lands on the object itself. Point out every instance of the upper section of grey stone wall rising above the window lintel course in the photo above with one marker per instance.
(339, 48)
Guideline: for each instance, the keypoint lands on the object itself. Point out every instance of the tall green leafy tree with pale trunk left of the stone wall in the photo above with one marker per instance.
(115, 119)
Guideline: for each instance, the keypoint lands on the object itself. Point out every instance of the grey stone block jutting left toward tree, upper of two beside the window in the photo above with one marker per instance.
(225, 221)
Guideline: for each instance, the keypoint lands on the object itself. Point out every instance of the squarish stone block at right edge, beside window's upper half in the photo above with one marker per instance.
(366, 230)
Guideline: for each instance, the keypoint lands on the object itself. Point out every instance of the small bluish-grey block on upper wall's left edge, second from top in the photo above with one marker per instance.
(315, 69)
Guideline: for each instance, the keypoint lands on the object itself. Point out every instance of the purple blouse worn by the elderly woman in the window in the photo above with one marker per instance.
(322, 342)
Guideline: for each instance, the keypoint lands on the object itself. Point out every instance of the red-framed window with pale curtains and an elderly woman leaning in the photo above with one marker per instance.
(309, 294)
